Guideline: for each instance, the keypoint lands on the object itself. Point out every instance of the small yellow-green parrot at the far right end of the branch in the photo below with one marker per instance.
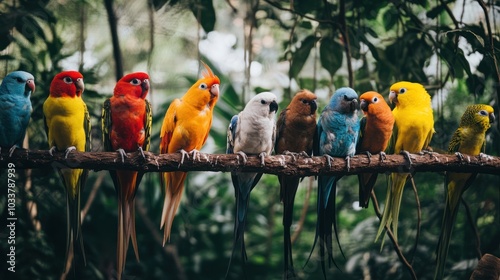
(470, 139)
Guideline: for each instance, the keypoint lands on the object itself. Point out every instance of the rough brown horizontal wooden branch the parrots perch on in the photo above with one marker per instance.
(277, 164)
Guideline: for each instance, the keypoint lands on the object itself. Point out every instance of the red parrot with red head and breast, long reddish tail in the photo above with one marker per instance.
(126, 127)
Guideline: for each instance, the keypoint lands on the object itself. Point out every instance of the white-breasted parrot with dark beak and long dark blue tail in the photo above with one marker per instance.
(251, 132)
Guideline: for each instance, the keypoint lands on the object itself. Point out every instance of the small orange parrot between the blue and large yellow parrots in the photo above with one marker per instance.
(374, 134)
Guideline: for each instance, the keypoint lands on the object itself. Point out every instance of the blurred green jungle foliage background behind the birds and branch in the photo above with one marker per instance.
(451, 47)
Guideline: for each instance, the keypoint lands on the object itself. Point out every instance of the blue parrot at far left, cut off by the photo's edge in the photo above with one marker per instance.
(15, 108)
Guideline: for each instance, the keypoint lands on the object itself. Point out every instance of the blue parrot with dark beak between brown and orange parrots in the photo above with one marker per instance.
(336, 136)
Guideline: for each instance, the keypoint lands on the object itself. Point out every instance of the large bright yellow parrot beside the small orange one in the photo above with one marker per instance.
(412, 132)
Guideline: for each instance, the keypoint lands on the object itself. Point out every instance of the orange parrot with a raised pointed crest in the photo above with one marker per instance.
(185, 129)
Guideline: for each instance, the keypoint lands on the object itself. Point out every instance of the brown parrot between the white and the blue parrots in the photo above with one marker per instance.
(295, 133)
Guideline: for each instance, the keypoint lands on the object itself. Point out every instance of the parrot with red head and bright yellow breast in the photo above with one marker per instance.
(67, 123)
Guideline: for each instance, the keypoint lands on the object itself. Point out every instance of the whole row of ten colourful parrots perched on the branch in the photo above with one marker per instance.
(339, 132)
